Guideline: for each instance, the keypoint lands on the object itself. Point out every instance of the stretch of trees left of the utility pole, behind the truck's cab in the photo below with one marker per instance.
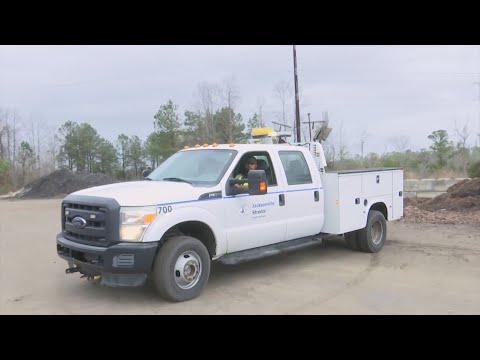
(31, 150)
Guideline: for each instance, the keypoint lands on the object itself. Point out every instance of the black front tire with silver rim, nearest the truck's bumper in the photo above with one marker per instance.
(166, 279)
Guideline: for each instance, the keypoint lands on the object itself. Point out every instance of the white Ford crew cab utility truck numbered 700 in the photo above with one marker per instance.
(168, 228)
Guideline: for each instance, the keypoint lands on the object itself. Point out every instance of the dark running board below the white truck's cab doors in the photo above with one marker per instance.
(269, 250)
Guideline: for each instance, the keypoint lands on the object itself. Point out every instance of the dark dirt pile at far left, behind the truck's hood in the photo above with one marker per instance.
(63, 182)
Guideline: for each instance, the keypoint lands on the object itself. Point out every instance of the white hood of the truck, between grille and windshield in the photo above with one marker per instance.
(144, 193)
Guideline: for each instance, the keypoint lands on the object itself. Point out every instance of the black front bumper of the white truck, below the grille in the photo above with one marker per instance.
(120, 265)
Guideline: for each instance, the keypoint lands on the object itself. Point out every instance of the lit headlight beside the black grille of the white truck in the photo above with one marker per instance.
(134, 221)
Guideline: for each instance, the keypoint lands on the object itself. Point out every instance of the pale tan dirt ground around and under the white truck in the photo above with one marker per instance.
(423, 269)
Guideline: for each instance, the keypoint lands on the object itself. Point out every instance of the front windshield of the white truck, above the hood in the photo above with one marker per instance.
(197, 167)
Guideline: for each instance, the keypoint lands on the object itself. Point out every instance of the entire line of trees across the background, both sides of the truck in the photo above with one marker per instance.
(30, 150)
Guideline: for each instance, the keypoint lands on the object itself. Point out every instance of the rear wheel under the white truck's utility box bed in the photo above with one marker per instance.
(372, 238)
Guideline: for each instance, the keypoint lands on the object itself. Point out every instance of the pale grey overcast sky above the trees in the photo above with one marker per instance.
(386, 90)
